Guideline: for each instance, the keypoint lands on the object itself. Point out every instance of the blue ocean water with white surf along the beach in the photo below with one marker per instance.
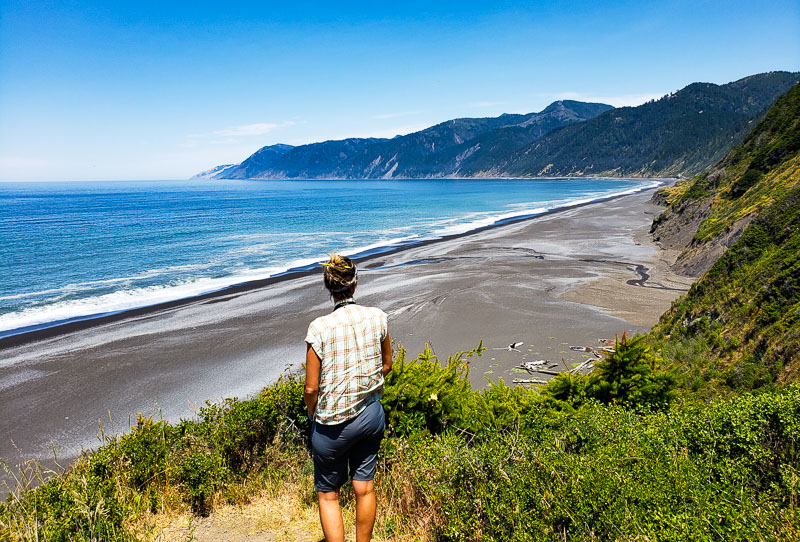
(80, 249)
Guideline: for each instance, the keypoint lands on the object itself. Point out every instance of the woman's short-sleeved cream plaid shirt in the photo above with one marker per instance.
(348, 343)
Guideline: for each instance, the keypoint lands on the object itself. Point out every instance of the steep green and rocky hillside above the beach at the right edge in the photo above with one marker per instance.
(739, 325)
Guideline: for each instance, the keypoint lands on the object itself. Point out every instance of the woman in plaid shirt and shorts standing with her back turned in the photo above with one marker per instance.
(348, 353)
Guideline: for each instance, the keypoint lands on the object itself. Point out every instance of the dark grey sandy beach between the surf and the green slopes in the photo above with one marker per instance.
(568, 278)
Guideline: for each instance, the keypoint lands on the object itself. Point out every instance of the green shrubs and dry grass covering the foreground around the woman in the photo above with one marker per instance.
(613, 455)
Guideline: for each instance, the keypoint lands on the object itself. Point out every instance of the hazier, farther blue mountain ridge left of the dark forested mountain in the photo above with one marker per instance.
(438, 151)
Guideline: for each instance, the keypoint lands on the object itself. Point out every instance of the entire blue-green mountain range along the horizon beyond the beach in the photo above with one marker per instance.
(682, 133)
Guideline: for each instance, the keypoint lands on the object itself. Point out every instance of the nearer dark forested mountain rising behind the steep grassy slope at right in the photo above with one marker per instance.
(682, 133)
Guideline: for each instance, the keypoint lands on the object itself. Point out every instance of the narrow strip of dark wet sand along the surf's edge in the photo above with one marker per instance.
(13, 338)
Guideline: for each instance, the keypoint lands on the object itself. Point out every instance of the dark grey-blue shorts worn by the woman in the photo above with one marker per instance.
(349, 447)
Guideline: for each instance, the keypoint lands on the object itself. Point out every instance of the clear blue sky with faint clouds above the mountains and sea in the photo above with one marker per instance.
(162, 90)
